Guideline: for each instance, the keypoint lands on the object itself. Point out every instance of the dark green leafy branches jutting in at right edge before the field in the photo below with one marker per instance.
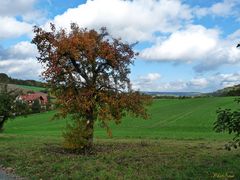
(229, 121)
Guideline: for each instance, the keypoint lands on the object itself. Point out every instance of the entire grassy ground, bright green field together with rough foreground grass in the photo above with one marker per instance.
(177, 142)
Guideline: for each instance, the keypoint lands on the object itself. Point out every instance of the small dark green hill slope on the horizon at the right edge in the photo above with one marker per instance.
(228, 91)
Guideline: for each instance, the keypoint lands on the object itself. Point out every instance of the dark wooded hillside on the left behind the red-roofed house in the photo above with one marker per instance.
(4, 78)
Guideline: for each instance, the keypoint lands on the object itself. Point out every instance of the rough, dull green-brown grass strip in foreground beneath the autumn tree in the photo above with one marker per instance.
(37, 158)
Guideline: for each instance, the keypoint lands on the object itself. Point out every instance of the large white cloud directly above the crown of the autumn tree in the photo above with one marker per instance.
(134, 20)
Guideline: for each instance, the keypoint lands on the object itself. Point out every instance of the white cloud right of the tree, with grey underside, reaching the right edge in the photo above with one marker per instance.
(197, 44)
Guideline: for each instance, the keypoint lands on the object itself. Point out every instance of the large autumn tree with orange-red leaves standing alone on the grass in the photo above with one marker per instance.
(87, 71)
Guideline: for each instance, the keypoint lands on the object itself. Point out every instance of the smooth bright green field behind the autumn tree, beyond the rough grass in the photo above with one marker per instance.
(169, 118)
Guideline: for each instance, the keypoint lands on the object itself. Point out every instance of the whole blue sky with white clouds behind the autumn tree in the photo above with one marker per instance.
(183, 45)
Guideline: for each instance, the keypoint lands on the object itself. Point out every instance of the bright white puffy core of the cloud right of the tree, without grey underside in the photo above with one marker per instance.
(189, 44)
